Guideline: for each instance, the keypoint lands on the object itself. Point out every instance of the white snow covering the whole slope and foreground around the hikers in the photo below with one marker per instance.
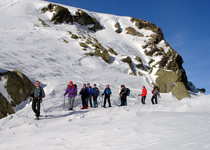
(41, 54)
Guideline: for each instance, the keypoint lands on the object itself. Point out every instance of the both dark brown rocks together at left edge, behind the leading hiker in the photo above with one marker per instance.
(18, 87)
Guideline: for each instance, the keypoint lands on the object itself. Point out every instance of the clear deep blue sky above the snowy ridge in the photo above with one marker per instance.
(185, 24)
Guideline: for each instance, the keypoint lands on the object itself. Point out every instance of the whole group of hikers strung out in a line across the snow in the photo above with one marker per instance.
(87, 94)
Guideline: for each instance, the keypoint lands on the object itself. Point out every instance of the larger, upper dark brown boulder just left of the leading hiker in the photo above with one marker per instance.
(18, 86)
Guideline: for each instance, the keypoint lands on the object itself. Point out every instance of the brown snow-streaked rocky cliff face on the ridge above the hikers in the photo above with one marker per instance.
(162, 60)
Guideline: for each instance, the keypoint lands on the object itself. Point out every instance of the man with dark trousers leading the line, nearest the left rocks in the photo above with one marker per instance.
(37, 93)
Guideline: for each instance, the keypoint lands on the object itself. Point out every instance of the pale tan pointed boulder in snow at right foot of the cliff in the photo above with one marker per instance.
(180, 91)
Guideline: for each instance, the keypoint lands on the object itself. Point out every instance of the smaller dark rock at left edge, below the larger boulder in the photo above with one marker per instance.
(5, 107)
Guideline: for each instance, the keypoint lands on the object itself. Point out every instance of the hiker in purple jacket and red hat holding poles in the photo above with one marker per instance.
(71, 90)
